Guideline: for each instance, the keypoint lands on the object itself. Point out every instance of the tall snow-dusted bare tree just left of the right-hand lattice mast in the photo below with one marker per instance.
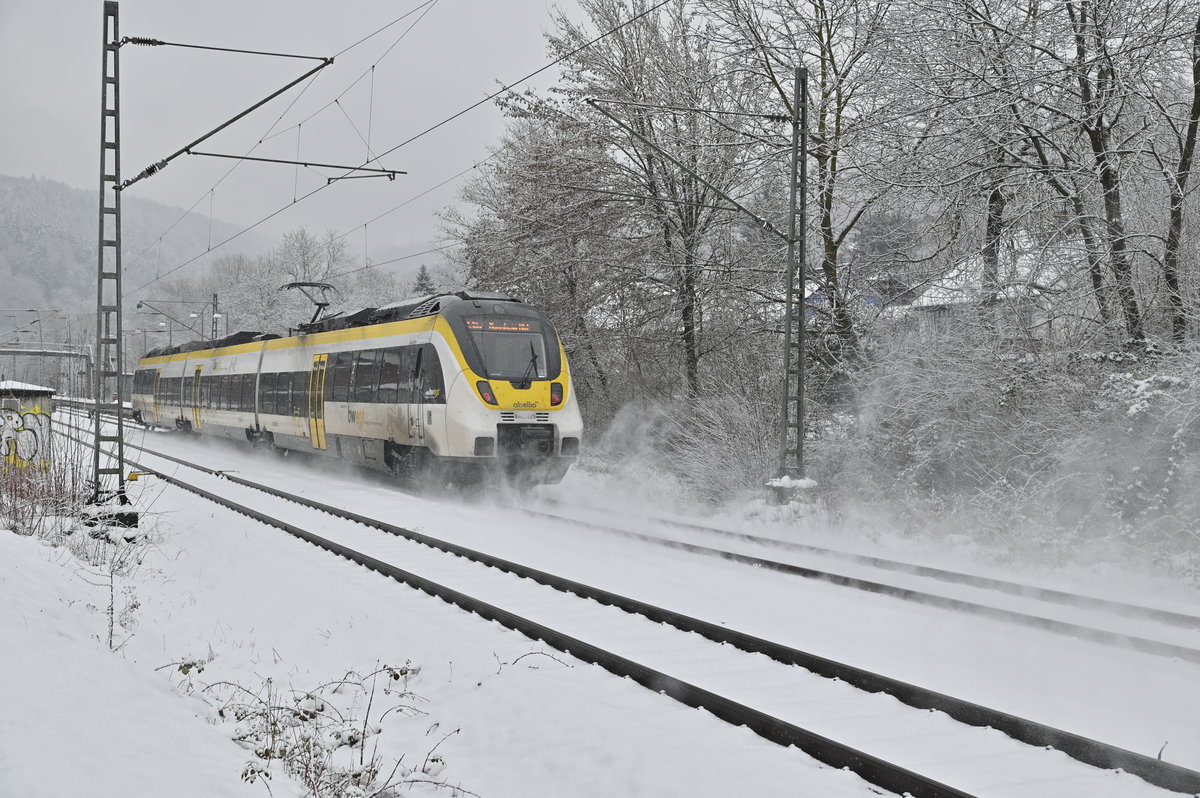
(670, 88)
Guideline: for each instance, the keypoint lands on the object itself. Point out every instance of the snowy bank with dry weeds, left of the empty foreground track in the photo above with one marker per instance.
(220, 616)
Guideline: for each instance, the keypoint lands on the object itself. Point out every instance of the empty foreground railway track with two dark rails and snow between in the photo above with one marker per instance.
(830, 675)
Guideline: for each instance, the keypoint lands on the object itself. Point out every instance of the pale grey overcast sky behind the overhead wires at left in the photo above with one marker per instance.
(455, 53)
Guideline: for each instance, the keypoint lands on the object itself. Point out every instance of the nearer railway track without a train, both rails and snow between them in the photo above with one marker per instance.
(824, 676)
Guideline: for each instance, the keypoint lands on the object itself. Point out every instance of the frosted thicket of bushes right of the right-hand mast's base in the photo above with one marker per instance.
(1064, 454)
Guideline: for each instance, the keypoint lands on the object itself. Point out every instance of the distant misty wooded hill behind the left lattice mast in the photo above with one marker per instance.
(49, 235)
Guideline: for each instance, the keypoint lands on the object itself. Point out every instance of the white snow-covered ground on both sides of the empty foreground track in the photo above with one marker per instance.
(224, 613)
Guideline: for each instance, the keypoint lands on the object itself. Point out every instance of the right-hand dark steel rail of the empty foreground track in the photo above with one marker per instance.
(1083, 749)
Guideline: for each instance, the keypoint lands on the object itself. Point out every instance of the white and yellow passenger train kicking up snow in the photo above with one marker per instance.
(460, 385)
